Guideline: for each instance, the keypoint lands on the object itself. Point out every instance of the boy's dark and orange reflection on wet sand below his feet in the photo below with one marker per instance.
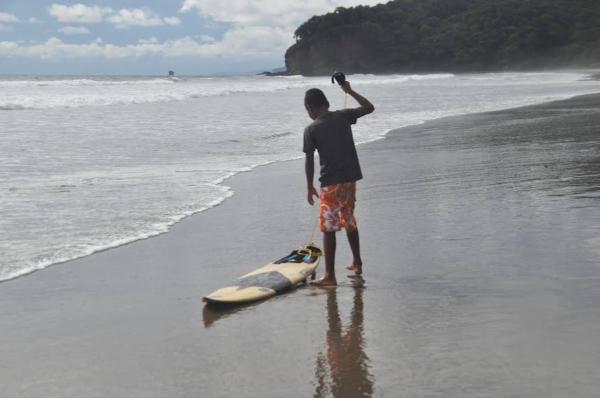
(343, 371)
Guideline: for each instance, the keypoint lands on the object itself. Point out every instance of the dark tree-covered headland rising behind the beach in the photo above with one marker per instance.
(449, 35)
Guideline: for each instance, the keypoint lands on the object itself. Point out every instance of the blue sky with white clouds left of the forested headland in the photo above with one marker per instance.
(151, 37)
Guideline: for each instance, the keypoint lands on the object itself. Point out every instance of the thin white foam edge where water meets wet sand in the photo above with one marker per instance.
(230, 192)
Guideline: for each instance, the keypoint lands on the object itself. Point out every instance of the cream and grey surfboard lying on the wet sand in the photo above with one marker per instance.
(270, 279)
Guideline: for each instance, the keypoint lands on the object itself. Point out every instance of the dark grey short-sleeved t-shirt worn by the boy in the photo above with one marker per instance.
(331, 135)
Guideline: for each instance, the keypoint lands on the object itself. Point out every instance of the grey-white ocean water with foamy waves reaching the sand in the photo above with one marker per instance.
(88, 163)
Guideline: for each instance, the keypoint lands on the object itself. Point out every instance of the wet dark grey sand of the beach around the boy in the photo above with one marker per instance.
(481, 243)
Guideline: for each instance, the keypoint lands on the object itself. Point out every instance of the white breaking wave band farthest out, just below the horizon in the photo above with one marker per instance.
(46, 93)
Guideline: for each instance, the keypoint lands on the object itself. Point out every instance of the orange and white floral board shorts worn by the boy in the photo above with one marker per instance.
(336, 210)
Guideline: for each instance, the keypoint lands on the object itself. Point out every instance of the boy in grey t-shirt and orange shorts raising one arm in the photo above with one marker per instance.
(331, 135)
